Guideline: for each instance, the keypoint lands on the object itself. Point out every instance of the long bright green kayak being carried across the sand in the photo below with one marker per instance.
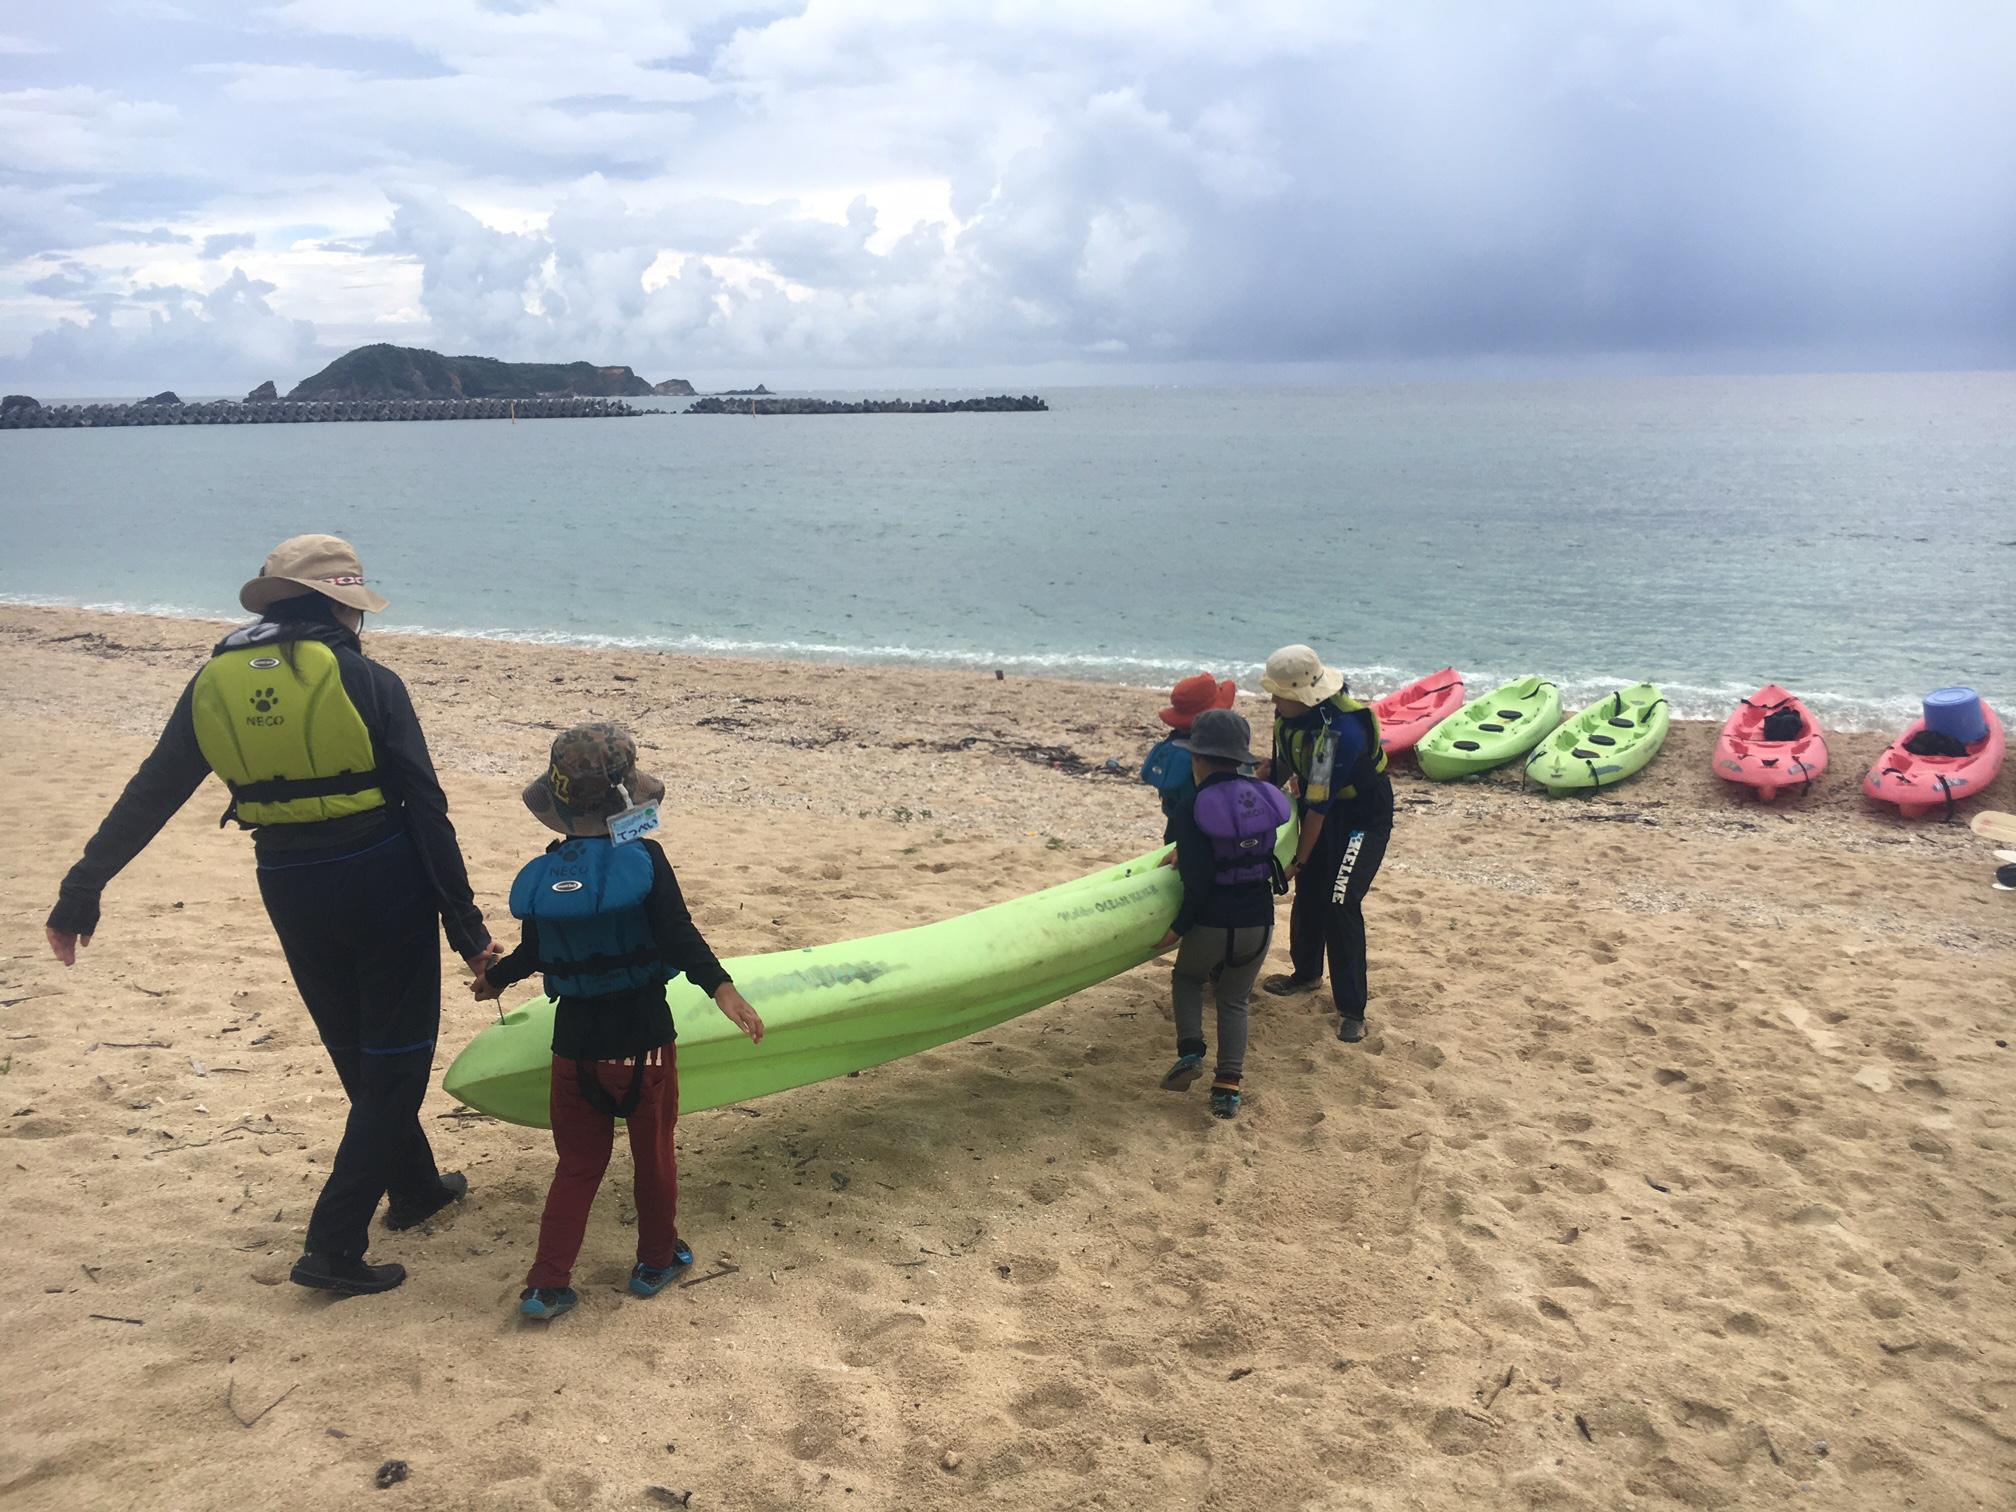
(838, 1009)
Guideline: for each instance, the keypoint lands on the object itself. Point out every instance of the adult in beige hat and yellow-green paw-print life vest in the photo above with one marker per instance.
(358, 868)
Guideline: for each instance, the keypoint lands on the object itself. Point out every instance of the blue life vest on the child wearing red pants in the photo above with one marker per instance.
(594, 932)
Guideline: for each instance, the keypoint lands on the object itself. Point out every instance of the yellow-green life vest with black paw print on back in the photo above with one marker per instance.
(285, 735)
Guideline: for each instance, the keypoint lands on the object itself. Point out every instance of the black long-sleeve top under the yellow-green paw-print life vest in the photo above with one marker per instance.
(414, 799)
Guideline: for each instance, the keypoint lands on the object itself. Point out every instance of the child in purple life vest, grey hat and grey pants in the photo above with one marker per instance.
(1225, 854)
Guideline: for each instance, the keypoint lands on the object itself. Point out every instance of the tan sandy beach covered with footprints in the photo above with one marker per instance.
(1678, 1170)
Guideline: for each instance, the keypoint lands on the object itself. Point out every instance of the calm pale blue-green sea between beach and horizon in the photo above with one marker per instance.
(1850, 537)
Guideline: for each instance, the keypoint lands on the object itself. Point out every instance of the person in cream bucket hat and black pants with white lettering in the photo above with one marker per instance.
(1328, 747)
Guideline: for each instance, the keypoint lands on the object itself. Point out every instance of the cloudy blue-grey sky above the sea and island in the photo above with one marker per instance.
(207, 195)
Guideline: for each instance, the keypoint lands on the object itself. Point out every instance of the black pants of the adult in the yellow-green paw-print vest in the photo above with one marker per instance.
(362, 938)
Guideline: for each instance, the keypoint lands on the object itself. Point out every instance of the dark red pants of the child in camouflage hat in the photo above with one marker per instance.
(584, 1140)
